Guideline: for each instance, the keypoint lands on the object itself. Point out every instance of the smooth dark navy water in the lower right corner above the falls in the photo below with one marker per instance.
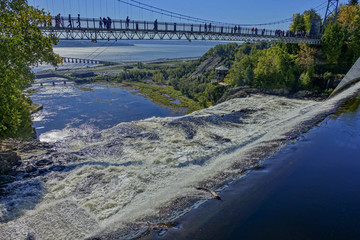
(309, 190)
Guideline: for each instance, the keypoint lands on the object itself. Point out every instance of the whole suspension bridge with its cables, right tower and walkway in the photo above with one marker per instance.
(94, 29)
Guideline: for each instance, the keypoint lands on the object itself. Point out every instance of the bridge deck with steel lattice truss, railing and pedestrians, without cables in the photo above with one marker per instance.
(93, 29)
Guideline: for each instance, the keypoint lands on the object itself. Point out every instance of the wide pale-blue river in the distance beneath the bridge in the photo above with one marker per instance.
(127, 51)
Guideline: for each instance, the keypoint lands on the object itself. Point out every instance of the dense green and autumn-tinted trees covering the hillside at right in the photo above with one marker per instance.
(266, 65)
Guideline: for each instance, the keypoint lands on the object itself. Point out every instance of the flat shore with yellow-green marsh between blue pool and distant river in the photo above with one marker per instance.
(160, 93)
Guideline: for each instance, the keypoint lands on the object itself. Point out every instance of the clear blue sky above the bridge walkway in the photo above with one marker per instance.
(231, 11)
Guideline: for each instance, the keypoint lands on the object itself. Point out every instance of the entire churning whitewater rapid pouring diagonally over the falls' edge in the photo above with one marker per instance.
(140, 171)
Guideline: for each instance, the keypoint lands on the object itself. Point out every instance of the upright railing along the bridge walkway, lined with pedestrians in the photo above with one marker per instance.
(166, 27)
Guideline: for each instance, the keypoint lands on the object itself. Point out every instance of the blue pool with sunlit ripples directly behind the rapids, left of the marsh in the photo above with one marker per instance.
(91, 105)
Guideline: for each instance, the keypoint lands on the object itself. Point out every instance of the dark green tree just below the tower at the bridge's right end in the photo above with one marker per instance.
(333, 40)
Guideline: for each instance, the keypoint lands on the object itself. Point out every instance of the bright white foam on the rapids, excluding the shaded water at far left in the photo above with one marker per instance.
(132, 169)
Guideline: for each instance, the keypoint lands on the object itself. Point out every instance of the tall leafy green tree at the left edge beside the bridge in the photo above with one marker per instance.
(22, 45)
